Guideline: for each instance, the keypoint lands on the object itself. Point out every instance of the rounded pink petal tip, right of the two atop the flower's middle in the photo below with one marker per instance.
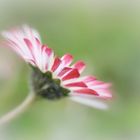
(80, 65)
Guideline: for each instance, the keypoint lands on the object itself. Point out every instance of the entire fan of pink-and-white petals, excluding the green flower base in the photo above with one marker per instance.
(26, 42)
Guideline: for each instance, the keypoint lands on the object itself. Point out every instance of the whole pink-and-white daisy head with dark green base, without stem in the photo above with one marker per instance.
(54, 77)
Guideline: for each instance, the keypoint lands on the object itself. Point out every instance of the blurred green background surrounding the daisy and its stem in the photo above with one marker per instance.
(103, 33)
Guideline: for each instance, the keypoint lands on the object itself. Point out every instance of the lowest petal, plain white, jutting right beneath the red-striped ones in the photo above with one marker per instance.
(89, 102)
